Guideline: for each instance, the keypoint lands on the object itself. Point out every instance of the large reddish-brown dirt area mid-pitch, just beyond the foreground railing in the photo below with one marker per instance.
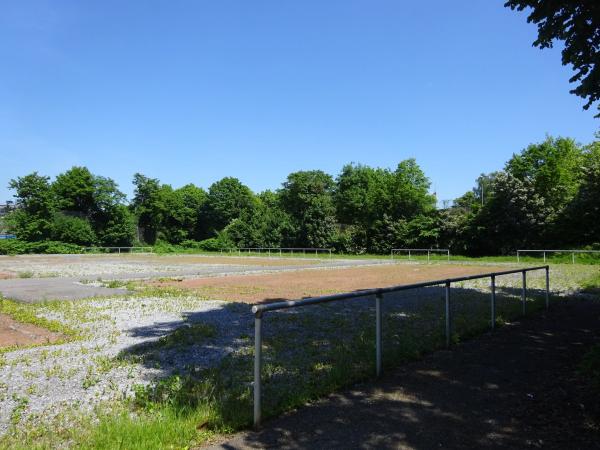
(311, 283)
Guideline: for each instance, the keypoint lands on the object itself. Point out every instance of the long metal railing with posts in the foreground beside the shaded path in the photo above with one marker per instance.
(260, 310)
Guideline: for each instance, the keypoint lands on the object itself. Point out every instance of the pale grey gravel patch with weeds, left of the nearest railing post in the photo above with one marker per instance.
(85, 372)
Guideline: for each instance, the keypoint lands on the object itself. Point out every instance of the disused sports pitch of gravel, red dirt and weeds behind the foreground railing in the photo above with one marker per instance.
(82, 332)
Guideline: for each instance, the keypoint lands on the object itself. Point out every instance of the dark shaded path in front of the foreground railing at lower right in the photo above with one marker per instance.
(516, 388)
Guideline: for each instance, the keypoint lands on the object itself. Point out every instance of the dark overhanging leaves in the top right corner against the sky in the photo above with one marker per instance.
(577, 24)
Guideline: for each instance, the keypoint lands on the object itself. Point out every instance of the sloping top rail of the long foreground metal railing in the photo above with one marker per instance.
(259, 309)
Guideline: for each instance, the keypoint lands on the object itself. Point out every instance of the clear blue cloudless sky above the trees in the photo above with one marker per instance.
(192, 91)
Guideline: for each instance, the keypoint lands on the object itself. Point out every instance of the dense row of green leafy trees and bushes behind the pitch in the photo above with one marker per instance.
(547, 195)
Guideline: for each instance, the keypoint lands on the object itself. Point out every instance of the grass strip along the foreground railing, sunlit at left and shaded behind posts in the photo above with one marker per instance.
(338, 351)
